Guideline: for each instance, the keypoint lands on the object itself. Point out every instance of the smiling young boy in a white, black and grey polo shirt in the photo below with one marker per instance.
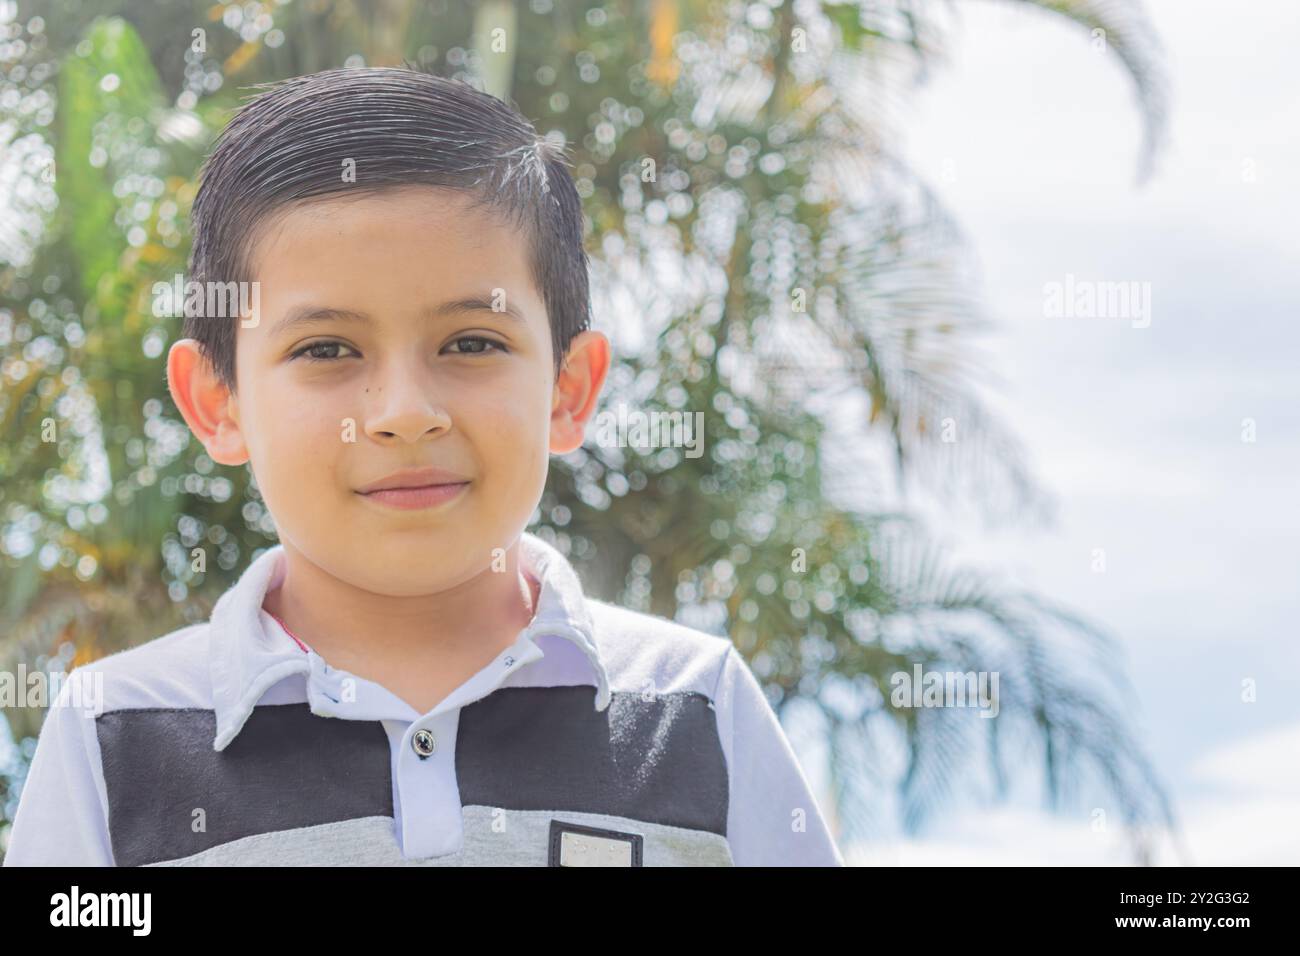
(409, 677)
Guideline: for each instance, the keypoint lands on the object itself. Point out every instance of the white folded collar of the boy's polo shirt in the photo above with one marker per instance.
(245, 661)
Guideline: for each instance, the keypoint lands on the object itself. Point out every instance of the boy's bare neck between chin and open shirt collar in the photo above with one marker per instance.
(345, 624)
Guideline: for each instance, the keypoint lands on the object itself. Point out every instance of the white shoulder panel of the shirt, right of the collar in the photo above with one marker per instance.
(648, 652)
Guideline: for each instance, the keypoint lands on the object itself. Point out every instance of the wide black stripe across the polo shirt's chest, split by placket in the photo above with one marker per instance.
(531, 749)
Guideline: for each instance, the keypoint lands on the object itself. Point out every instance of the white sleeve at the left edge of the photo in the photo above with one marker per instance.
(63, 816)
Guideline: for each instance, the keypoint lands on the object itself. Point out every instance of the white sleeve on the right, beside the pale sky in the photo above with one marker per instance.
(773, 819)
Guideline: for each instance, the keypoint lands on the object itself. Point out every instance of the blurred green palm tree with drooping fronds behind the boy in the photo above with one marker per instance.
(782, 261)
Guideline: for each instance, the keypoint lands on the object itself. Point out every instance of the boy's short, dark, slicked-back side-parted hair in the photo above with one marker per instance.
(401, 127)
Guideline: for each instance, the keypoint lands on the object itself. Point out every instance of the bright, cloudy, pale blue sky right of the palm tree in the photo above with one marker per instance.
(1033, 142)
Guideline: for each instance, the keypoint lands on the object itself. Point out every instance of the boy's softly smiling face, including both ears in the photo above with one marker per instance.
(467, 391)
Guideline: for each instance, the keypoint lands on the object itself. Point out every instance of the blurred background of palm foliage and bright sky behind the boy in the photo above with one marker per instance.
(839, 233)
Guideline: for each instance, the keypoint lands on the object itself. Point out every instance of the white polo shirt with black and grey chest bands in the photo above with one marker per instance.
(601, 737)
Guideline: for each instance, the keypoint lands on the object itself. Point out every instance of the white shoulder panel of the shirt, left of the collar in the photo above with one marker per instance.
(168, 672)
